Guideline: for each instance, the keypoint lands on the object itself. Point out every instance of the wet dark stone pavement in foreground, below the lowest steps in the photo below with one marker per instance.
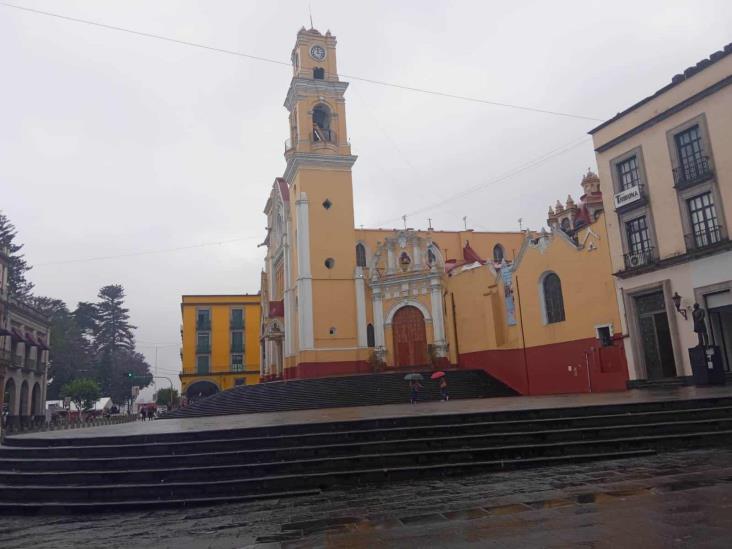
(680, 499)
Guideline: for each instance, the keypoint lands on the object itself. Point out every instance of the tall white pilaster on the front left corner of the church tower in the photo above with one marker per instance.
(304, 278)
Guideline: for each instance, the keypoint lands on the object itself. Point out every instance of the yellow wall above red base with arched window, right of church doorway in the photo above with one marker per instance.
(587, 290)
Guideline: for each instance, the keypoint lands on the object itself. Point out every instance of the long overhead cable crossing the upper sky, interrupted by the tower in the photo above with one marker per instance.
(199, 45)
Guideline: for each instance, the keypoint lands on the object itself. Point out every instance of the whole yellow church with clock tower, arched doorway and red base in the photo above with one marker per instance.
(338, 300)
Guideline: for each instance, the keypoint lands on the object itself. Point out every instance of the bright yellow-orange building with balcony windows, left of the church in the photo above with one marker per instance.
(220, 343)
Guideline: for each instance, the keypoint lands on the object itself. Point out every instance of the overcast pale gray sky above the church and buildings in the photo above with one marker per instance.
(114, 144)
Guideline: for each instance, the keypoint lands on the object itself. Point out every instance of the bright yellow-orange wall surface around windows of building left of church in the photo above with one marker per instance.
(220, 371)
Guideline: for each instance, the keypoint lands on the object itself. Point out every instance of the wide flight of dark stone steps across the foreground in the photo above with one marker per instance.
(89, 474)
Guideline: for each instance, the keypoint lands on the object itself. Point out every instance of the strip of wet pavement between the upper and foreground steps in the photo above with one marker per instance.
(356, 413)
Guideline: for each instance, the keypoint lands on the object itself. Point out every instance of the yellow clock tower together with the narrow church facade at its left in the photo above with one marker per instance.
(311, 263)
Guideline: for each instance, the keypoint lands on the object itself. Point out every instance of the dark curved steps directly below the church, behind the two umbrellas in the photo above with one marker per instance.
(335, 392)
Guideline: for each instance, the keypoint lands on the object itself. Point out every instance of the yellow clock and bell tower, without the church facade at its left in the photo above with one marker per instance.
(318, 174)
